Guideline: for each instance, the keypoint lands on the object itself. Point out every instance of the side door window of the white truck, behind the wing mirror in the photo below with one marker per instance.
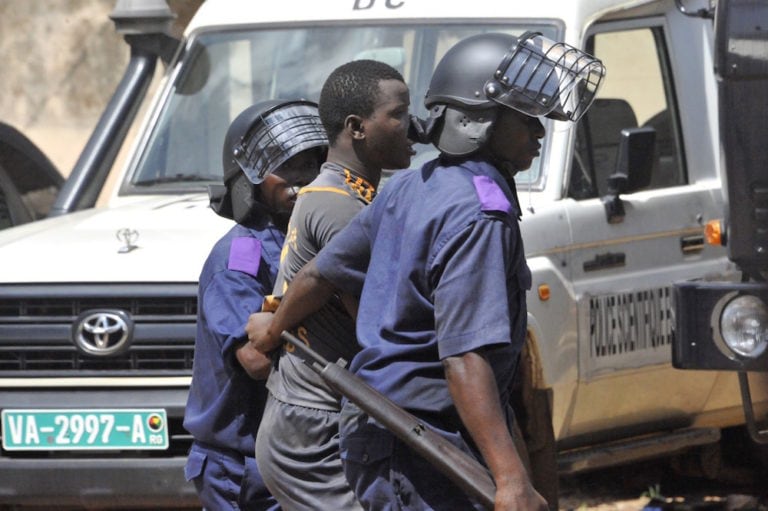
(636, 93)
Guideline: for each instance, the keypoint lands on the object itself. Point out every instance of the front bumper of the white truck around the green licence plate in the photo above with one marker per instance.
(123, 479)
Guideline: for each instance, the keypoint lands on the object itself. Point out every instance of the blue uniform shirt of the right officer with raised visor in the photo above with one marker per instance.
(439, 262)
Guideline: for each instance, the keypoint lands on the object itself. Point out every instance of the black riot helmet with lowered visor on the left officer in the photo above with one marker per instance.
(258, 141)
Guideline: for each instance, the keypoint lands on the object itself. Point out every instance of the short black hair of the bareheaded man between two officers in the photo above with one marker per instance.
(352, 89)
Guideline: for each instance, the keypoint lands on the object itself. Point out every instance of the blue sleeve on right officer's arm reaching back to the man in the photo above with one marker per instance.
(344, 261)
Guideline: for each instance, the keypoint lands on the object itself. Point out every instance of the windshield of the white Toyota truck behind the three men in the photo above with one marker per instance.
(222, 73)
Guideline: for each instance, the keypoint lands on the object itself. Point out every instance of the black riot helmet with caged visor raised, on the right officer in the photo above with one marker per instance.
(530, 74)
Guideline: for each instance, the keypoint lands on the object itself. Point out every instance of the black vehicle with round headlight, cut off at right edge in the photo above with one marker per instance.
(724, 325)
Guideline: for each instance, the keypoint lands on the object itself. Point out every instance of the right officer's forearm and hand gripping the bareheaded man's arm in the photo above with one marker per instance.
(308, 292)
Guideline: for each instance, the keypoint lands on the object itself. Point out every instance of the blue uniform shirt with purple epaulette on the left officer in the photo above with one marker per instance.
(225, 405)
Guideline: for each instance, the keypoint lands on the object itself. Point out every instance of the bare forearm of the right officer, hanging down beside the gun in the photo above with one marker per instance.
(473, 389)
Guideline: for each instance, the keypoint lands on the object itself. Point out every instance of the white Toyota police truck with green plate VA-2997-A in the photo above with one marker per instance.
(97, 306)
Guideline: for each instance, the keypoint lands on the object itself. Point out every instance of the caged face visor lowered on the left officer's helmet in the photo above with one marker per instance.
(282, 133)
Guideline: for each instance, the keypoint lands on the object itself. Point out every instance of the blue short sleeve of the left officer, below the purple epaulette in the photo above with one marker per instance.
(227, 301)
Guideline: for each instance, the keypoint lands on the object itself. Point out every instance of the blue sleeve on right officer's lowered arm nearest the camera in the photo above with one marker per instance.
(477, 287)
